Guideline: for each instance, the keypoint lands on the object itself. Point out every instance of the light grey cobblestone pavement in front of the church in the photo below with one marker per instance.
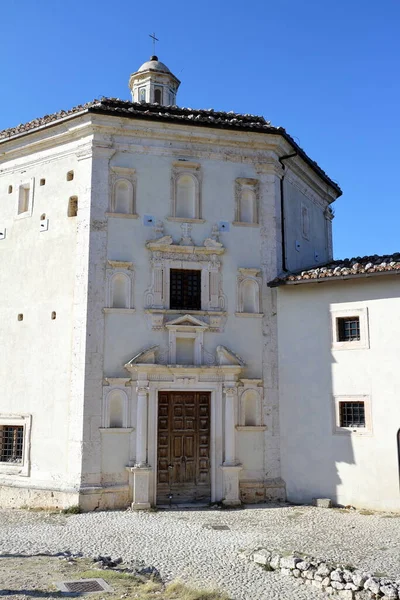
(183, 544)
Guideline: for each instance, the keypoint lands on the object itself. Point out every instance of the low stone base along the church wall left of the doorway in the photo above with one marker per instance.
(88, 499)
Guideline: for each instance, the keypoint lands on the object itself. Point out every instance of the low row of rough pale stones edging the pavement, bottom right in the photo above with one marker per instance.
(340, 581)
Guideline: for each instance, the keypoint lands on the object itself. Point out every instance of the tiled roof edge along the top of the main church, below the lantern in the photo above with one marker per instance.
(207, 118)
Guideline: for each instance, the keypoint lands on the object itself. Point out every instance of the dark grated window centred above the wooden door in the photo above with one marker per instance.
(185, 289)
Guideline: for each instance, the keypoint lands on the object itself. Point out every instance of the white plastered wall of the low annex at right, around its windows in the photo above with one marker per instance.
(349, 467)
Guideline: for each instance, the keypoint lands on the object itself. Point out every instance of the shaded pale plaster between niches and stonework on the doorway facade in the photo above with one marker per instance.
(130, 332)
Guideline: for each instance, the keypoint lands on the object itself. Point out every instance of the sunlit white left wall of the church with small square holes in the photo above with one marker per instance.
(44, 272)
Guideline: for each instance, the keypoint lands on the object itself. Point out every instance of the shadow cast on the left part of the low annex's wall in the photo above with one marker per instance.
(311, 451)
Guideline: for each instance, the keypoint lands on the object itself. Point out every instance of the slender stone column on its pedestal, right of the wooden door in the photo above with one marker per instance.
(230, 467)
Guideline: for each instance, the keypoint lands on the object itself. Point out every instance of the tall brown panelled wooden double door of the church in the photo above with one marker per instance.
(183, 452)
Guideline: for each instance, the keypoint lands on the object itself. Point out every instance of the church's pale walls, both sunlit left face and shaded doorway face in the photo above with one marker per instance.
(60, 371)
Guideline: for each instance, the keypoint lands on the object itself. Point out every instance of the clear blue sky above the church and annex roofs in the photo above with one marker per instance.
(327, 71)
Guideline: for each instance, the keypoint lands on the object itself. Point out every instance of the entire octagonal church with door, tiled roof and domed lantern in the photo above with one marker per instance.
(141, 344)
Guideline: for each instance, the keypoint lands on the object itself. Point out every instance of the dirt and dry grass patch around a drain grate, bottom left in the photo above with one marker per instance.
(24, 577)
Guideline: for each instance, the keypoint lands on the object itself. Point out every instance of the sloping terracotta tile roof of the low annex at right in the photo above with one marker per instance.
(346, 268)
